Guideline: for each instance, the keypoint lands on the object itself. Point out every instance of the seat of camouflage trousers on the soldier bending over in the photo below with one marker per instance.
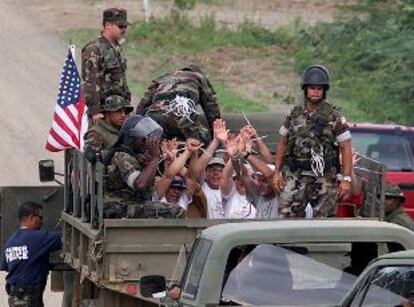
(181, 128)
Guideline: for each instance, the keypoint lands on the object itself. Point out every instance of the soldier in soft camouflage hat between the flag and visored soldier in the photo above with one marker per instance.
(105, 133)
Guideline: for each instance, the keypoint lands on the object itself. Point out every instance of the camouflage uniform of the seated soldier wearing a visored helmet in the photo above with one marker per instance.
(121, 198)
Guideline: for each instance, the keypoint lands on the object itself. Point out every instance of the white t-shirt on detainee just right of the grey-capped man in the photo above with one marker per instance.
(237, 205)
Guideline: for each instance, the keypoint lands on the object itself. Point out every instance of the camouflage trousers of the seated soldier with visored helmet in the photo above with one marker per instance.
(145, 210)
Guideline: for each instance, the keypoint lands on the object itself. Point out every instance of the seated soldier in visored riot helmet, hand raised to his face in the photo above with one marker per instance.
(131, 166)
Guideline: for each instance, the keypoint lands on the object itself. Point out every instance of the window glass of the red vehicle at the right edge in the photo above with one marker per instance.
(391, 149)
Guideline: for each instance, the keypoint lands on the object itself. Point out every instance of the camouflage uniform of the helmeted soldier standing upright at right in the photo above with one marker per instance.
(305, 131)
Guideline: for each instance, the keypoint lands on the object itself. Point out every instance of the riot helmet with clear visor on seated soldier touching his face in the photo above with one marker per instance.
(138, 126)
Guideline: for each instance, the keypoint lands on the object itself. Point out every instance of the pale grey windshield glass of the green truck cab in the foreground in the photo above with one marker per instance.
(275, 275)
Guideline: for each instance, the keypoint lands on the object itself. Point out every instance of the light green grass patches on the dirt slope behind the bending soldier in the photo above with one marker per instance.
(161, 39)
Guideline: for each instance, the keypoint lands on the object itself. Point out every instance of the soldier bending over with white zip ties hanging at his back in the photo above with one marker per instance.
(172, 99)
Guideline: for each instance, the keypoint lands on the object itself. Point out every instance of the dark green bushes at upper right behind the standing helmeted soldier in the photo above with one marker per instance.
(371, 60)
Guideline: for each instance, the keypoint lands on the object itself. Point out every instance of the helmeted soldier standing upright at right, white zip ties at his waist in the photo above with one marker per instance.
(307, 154)
